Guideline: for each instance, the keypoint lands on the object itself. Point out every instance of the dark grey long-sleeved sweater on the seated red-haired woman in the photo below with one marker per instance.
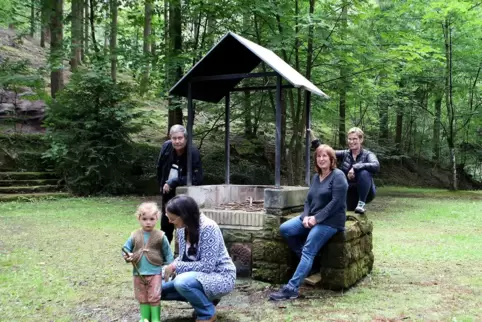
(326, 200)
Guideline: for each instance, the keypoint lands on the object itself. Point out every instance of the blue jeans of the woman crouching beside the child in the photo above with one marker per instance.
(185, 287)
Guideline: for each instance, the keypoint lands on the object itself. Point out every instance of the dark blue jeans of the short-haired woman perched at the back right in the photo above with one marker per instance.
(361, 188)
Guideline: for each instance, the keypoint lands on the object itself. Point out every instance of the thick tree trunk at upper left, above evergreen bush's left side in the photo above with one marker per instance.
(56, 39)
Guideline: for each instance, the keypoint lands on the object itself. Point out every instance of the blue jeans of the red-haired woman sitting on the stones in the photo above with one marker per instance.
(295, 234)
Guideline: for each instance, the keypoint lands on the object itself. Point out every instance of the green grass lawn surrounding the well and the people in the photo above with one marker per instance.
(60, 261)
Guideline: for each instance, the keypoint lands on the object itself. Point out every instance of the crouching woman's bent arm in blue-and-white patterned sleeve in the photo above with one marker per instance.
(210, 238)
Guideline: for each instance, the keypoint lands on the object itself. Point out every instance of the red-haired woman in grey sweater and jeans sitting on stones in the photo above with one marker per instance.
(324, 215)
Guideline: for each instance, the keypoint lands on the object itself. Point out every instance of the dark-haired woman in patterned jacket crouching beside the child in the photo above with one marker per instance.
(204, 271)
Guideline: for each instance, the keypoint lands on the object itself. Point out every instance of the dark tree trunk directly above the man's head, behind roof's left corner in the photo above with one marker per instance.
(174, 57)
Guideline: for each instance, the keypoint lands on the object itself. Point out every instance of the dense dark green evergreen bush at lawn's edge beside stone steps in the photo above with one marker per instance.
(88, 128)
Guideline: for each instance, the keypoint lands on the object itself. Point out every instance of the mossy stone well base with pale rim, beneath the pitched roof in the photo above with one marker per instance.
(250, 216)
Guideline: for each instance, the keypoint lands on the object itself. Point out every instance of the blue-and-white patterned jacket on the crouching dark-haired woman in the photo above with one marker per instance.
(217, 272)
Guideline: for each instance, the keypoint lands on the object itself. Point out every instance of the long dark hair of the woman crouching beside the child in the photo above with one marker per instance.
(187, 208)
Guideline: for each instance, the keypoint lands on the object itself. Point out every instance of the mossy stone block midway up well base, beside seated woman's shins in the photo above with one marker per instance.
(270, 251)
